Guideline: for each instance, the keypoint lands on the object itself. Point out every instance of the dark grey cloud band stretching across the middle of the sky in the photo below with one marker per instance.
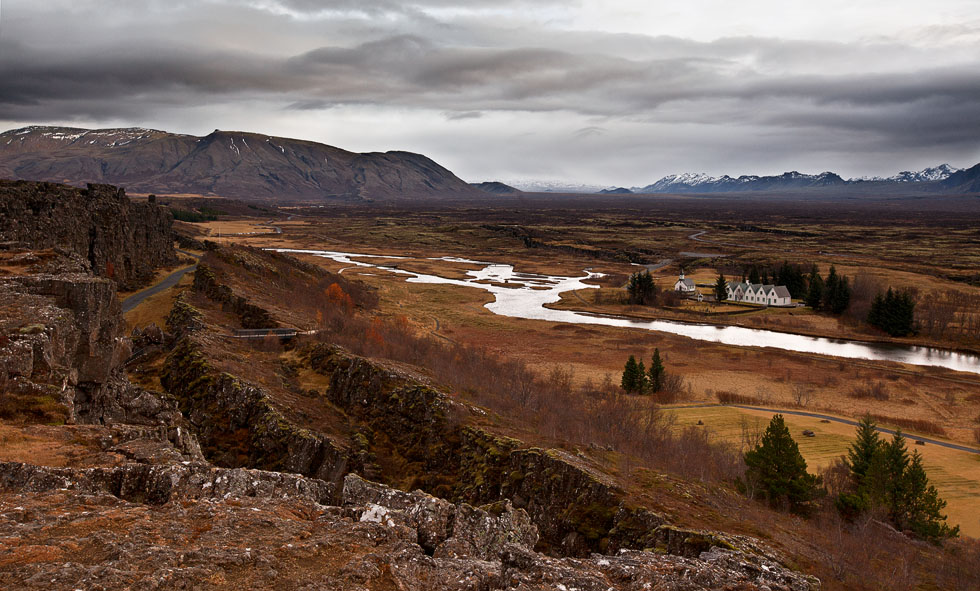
(413, 71)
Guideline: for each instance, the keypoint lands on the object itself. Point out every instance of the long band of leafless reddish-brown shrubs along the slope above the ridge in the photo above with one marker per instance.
(590, 415)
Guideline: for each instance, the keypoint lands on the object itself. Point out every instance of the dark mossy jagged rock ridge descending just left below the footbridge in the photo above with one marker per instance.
(238, 425)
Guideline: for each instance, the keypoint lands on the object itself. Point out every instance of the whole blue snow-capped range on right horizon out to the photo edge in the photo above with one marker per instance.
(939, 176)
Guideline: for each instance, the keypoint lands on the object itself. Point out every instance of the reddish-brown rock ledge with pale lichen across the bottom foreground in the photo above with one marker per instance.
(199, 527)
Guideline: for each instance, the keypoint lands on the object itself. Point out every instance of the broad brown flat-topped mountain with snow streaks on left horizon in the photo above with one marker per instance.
(243, 165)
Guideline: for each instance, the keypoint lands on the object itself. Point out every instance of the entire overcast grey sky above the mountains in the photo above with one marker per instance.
(606, 92)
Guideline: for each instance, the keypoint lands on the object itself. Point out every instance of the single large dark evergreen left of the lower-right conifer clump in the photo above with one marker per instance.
(779, 469)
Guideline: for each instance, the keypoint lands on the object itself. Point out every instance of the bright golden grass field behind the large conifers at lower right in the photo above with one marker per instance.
(955, 474)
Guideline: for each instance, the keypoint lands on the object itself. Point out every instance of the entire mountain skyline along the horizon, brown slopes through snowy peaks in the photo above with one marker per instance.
(252, 167)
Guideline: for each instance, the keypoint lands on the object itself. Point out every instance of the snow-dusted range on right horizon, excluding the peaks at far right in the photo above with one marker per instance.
(704, 183)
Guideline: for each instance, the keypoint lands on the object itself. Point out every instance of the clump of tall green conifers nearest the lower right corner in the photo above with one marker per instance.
(886, 478)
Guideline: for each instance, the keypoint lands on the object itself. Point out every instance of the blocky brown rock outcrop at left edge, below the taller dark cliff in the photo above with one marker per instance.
(64, 344)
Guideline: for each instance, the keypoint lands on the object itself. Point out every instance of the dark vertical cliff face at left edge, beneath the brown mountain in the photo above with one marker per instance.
(115, 237)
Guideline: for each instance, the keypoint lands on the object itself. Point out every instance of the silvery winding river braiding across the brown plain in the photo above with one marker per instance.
(524, 295)
